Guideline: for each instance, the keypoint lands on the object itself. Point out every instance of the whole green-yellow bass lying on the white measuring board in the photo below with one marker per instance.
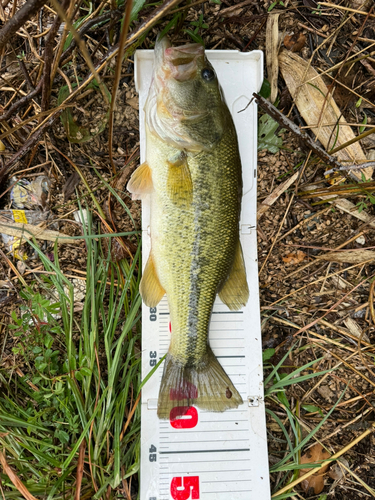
(193, 176)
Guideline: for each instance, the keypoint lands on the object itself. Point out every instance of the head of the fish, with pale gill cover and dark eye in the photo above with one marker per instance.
(185, 106)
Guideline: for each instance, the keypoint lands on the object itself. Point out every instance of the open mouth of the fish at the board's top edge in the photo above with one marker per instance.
(180, 63)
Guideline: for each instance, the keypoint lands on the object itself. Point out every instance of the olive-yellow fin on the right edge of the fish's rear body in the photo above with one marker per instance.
(235, 291)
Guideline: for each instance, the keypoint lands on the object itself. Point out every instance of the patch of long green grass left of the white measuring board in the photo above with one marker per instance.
(81, 380)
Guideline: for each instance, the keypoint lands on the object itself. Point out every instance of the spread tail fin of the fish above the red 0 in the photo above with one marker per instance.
(205, 385)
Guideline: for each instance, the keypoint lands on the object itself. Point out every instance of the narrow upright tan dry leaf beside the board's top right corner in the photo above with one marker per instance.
(272, 42)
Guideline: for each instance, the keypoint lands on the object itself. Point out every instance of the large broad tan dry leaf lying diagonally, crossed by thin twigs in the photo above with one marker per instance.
(318, 108)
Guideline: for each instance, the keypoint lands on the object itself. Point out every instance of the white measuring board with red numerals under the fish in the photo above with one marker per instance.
(206, 455)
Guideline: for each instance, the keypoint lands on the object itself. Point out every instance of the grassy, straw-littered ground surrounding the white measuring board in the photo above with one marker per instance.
(317, 312)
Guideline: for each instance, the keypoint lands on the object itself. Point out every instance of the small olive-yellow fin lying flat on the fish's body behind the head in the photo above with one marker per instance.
(179, 184)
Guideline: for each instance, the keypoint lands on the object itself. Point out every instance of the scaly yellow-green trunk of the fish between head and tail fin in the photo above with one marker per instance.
(202, 236)
